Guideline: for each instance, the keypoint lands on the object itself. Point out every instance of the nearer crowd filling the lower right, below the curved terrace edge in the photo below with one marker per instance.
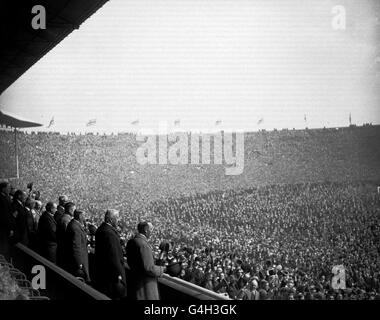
(273, 242)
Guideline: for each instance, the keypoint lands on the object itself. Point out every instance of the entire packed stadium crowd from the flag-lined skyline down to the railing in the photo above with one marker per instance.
(307, 201)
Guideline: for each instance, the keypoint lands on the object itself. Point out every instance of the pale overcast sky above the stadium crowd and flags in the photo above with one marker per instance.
(203, 61)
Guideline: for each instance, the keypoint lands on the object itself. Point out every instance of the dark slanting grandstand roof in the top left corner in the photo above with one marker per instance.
(22, 46)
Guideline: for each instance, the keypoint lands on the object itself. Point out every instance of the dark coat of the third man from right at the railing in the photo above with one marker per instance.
(76, 245)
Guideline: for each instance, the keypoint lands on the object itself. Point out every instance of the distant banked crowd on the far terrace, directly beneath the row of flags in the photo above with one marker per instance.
(102, 169)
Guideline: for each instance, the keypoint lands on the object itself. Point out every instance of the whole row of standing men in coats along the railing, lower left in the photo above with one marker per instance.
(59, 234)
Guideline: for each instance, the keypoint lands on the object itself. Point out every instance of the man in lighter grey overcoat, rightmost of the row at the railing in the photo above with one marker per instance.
(143, 272)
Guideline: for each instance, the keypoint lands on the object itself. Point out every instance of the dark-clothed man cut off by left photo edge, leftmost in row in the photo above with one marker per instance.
(6, 225)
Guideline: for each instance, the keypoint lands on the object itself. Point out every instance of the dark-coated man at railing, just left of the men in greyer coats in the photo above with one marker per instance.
(47, 228)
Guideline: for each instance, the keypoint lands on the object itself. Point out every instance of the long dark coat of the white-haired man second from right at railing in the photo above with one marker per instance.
(109, 262)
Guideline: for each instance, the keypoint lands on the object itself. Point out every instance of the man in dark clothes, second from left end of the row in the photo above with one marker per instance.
(20, 214)
